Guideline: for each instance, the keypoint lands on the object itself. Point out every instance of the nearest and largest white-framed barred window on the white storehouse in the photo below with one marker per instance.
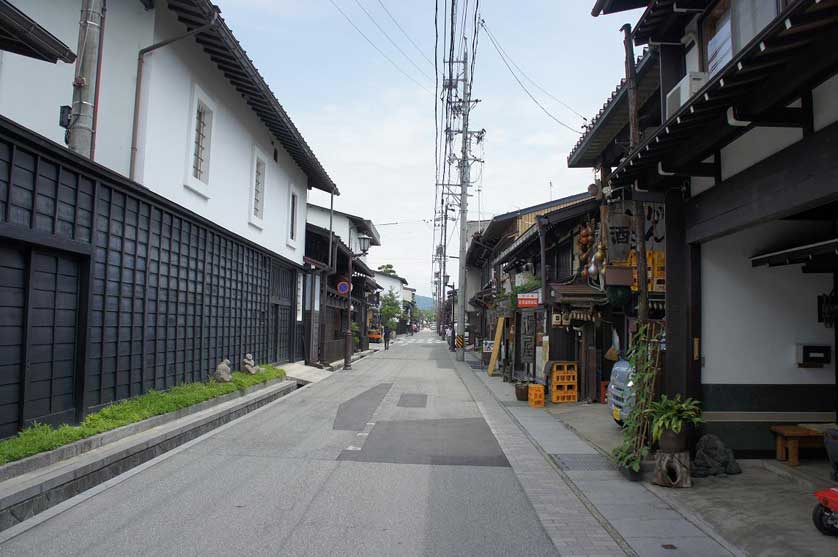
(199, 151)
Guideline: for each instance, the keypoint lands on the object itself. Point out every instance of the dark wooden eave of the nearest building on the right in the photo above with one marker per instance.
(794, 52)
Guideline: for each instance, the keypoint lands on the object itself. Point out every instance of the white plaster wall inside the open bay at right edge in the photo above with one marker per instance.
(752, 318)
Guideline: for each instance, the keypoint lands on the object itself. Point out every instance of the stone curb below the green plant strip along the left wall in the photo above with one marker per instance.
(31, 493)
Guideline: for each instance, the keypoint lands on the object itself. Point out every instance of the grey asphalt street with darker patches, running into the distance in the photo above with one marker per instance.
(392, 458)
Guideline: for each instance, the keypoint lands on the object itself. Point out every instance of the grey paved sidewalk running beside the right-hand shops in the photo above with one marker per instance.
(635, 516)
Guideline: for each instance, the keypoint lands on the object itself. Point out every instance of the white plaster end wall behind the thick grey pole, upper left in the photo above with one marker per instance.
(32, 91)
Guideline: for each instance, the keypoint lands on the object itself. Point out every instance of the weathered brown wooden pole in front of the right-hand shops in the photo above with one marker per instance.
(639, 210)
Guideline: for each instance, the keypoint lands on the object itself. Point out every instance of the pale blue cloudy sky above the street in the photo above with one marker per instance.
(372, 127)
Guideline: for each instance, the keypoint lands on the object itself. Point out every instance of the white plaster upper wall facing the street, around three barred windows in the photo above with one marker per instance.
(164, 146)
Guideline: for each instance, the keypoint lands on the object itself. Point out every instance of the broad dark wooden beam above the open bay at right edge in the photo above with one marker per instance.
(798, 178)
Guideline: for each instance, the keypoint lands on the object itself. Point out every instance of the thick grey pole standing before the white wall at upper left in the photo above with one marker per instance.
(85, 82)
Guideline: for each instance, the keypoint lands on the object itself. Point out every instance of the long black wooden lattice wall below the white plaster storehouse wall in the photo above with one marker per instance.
(161, 295)
